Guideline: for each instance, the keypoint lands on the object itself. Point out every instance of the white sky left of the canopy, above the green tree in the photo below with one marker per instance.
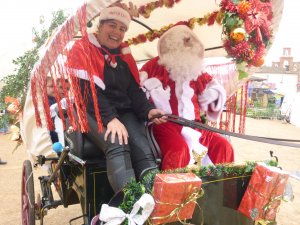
(17, 18)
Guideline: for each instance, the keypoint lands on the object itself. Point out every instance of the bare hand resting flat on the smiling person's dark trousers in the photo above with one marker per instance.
(115, 127)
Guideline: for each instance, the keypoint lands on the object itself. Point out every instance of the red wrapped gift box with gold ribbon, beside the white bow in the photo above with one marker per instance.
(172, 192)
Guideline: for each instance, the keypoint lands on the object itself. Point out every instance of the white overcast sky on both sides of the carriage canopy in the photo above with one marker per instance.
(18, 17)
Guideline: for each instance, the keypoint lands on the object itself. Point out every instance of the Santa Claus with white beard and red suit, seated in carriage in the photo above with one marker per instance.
(177, 83)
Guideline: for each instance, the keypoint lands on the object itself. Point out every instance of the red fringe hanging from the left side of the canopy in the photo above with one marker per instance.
(52, 65)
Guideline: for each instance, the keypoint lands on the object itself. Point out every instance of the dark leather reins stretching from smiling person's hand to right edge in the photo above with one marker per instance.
(194, 124)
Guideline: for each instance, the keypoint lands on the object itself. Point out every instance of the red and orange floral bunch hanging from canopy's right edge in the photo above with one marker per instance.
(246, 29)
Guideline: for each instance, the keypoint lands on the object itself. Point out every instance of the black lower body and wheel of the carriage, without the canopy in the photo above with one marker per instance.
(78, 174)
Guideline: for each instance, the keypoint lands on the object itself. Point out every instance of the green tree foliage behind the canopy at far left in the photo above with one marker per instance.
(16, 85)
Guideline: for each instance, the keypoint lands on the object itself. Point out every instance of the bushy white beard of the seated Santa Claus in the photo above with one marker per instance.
(183, 63)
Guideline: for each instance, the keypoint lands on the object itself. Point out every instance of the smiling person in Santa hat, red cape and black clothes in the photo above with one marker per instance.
(103, 58)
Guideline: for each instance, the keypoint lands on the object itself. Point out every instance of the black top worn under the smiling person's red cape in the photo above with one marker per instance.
(122, 94)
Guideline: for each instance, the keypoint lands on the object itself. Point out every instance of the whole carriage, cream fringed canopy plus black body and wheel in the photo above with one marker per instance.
(78, 172)
